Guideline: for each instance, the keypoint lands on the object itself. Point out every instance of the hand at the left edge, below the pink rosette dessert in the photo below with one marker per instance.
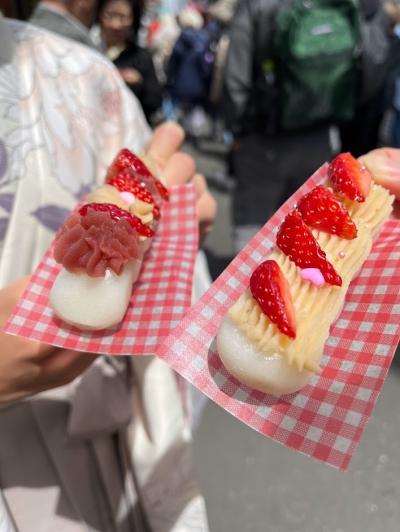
(28, 367)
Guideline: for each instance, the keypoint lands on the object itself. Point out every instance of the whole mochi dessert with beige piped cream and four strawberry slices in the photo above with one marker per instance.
(272, 338)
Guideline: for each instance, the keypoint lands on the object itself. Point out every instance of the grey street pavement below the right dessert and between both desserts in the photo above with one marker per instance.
(252, 484)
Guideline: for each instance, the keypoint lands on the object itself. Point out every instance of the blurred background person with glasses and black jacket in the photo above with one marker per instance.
(135, 64)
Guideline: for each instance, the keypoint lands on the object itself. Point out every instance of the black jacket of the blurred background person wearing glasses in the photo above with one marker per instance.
(149, 91)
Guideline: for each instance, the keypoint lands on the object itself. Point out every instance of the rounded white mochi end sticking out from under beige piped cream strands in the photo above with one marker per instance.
(267, 373)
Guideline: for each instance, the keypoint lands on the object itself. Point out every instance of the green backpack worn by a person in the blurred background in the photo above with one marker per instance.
(316, 58)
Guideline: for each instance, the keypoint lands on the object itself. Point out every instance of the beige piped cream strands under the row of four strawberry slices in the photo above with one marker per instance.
(316, 308)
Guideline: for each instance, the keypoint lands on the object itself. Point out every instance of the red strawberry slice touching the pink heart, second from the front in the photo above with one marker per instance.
(298, 243)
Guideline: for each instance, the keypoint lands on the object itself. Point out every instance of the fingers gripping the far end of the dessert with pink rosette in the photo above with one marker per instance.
(177, 168)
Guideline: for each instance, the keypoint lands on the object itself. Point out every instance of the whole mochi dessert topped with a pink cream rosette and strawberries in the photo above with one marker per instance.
(101, 246)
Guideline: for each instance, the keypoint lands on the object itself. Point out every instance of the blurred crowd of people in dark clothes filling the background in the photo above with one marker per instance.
(223, 71)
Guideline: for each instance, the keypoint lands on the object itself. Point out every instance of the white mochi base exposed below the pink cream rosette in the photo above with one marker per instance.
(93, 303)
